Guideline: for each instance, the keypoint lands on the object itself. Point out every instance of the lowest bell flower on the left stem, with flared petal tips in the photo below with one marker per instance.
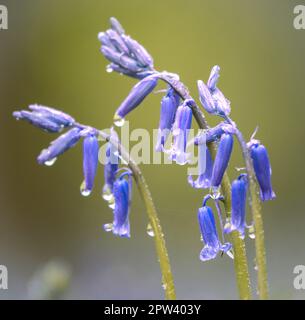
(122, 197)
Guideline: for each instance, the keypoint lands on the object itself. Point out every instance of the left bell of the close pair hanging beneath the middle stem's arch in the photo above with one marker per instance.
(169, 105)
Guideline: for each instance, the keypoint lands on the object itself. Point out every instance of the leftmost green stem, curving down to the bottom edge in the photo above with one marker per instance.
(163, 258)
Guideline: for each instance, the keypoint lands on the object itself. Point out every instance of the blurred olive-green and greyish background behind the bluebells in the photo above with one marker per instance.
(50, 55)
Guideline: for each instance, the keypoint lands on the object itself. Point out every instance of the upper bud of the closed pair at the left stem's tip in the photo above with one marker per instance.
(53, 115)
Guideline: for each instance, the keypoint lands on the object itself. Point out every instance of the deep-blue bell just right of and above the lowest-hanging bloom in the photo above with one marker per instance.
(238, 213)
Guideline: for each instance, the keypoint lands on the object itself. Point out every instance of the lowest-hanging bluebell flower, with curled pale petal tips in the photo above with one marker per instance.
(210, 235)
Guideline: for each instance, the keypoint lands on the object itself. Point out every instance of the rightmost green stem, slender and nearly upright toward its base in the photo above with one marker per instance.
(255, 204)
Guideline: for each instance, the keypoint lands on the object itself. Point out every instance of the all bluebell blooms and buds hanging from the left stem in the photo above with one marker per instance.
(117, 188)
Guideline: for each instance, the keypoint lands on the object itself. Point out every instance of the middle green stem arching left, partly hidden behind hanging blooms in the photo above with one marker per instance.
(240, 257)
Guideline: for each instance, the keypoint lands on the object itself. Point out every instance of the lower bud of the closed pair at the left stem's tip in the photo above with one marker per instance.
(38, 120)
